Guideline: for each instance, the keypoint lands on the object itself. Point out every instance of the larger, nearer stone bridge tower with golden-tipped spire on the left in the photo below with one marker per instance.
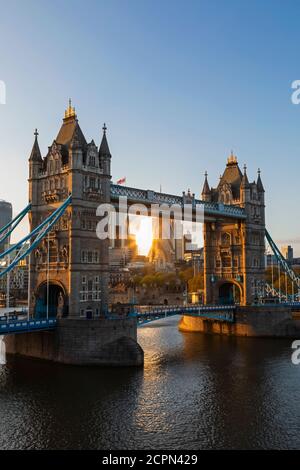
(72, 259)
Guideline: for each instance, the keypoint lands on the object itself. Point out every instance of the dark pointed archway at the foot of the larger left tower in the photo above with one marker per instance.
(51, 300)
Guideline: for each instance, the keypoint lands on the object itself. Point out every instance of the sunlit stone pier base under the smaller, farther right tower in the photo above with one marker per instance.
(252, 321)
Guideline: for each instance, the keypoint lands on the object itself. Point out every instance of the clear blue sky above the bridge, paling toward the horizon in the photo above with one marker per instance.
(179, 85)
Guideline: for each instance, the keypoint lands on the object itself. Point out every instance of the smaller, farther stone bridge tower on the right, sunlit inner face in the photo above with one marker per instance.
(234, 251)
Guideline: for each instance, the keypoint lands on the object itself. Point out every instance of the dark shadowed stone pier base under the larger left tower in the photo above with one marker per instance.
(82, 342)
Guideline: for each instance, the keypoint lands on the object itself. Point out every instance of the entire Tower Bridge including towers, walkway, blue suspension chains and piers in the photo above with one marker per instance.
(69, 265)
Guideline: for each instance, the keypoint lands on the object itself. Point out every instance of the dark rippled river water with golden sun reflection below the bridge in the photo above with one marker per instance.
(195, 392)
